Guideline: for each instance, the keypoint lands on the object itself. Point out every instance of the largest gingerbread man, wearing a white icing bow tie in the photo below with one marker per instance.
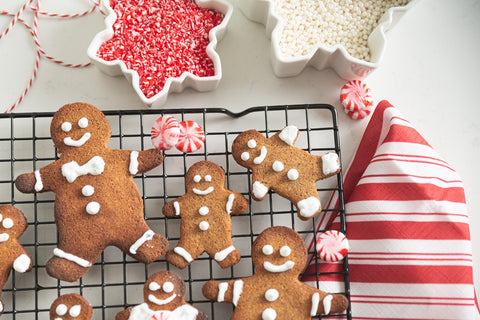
(97, 203)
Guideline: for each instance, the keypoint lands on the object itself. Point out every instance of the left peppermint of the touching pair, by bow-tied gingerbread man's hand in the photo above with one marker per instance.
(165, 133)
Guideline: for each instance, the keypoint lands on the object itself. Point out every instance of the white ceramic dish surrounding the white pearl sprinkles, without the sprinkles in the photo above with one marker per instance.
(321, 57)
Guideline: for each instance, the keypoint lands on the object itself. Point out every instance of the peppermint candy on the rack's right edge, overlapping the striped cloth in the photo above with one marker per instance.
(332, 246)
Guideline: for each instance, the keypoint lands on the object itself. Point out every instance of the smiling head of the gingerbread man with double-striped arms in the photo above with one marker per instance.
(279, 250)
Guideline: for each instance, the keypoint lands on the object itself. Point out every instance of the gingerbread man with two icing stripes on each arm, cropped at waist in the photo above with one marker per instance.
(274, 292)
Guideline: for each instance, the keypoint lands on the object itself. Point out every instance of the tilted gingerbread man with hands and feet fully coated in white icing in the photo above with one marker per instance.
(278, 165)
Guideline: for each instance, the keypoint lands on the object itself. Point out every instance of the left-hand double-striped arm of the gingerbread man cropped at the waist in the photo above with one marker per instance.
(229, 291)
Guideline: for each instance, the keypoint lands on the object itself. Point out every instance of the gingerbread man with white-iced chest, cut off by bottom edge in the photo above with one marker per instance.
(164, 295)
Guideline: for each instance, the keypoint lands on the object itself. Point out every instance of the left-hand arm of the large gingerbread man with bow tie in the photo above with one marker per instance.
(42, 180)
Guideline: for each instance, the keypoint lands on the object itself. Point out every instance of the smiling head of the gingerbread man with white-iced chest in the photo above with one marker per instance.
(164, 290)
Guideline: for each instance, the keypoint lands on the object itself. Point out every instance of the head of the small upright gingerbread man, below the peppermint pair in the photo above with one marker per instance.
(203, 178)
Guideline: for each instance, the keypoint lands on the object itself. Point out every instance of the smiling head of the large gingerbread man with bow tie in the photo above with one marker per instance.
(79, 125)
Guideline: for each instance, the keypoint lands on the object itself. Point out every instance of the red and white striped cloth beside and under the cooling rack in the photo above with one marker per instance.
(407, 225)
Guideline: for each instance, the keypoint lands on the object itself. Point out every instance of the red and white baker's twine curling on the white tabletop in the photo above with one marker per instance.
(34, 5)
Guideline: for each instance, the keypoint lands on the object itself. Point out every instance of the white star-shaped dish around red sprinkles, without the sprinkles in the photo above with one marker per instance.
(117, 67)
